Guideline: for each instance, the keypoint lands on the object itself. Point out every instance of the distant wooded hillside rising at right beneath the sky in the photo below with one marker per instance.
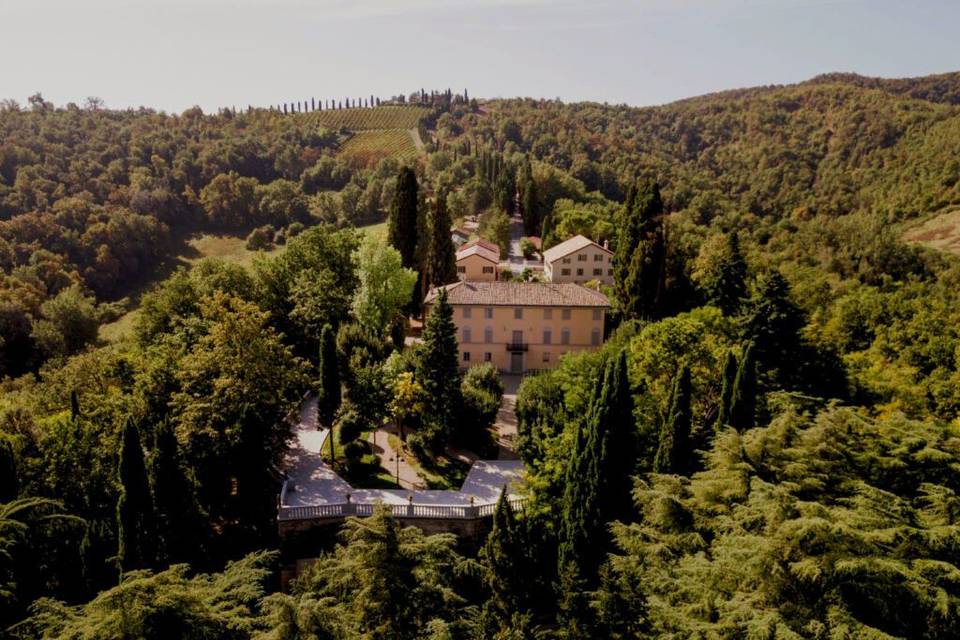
(833, 145)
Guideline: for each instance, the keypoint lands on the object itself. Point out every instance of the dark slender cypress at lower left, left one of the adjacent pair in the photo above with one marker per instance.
(135, 516)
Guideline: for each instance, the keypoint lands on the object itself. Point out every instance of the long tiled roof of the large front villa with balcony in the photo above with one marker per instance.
(520, 294)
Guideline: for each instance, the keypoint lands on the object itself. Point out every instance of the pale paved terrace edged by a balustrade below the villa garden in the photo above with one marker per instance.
(314, 491)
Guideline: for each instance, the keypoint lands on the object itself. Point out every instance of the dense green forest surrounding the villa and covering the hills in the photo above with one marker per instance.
(766, 446)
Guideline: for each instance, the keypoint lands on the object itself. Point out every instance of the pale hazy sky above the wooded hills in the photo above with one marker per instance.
(173, 54)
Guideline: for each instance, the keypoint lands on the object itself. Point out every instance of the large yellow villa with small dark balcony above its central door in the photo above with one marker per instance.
(523, 326)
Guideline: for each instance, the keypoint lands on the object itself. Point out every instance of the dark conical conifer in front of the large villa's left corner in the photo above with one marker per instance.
(438, 373)
